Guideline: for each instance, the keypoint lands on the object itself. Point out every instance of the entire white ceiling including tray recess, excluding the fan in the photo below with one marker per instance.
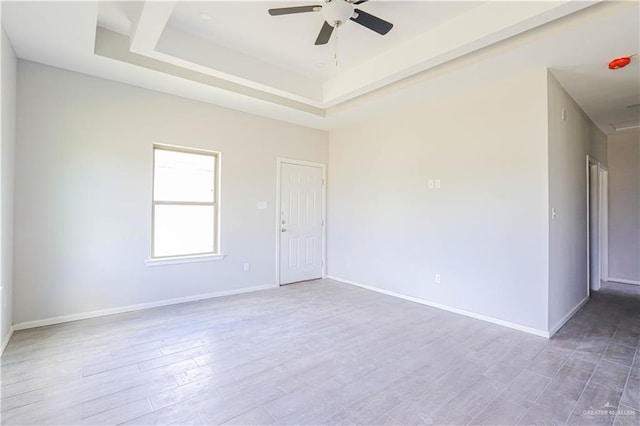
(245, 59)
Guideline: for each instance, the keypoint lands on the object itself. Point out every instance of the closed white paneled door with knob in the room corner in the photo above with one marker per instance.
(300, 223)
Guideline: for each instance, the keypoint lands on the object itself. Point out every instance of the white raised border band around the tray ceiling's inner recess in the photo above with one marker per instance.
(472, 30)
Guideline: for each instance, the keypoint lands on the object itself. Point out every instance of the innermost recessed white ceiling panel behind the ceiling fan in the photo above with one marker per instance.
(288, 41)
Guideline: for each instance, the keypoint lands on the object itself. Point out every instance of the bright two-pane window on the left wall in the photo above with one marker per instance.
(185, 211)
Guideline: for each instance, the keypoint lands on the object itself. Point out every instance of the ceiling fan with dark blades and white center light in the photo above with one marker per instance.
(336, 13)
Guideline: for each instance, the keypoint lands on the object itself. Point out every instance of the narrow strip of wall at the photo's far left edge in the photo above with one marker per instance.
(8, 125)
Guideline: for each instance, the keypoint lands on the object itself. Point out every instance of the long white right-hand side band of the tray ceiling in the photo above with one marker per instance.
(471, 31)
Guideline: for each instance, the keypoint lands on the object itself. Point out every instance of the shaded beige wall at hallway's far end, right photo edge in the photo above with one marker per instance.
(624, 205)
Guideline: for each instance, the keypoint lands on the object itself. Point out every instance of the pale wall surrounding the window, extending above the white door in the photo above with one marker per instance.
(83, 192)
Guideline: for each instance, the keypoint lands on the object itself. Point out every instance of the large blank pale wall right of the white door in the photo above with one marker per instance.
(485, 231)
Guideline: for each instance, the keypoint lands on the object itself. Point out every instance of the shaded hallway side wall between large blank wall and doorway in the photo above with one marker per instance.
(570, 140)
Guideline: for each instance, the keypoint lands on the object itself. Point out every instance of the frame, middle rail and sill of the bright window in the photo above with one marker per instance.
(187, 257)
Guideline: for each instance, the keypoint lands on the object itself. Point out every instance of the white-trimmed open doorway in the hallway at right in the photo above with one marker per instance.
(597, 224)
